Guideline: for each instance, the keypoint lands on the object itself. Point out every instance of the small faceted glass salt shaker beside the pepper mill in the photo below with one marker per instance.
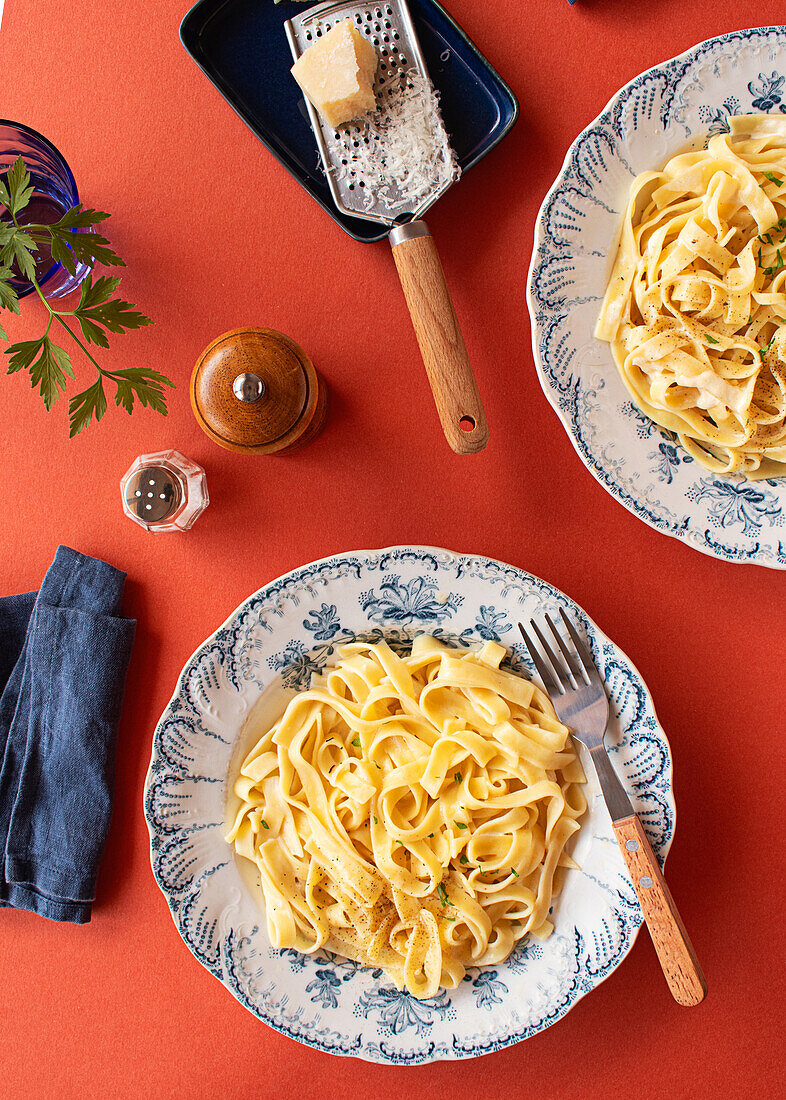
(164, 492)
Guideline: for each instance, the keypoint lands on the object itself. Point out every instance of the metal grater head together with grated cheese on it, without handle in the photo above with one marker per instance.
(397, 161)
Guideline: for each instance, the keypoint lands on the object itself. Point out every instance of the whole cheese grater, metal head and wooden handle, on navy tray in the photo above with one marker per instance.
(390, 28)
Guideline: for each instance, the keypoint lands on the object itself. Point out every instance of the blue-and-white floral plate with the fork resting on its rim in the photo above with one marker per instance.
(273, 643)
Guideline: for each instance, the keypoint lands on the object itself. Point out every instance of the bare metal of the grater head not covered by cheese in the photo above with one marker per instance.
(390, 28)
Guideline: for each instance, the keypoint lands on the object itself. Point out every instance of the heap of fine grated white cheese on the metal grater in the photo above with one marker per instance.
(402, 152)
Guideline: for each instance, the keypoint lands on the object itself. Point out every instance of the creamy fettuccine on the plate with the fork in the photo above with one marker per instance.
(412, 813)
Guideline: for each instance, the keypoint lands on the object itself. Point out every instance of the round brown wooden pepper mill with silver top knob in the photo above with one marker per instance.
(257, 391)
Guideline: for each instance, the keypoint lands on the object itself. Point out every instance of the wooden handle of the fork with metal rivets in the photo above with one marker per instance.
(674, 949)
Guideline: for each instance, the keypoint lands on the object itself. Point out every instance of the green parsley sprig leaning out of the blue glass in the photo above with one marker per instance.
(97, 314)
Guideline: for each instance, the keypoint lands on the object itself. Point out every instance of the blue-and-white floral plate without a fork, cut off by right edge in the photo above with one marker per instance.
(650, 120)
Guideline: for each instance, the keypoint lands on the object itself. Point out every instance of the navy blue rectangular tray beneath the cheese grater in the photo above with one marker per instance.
(241, 47)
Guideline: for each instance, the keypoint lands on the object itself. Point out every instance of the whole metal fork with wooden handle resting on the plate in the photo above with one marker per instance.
(572, 680)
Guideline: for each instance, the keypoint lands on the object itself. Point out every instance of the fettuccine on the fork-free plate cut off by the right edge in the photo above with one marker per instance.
(695, 311)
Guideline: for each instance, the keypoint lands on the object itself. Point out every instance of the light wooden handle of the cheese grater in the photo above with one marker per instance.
(440, 338)
